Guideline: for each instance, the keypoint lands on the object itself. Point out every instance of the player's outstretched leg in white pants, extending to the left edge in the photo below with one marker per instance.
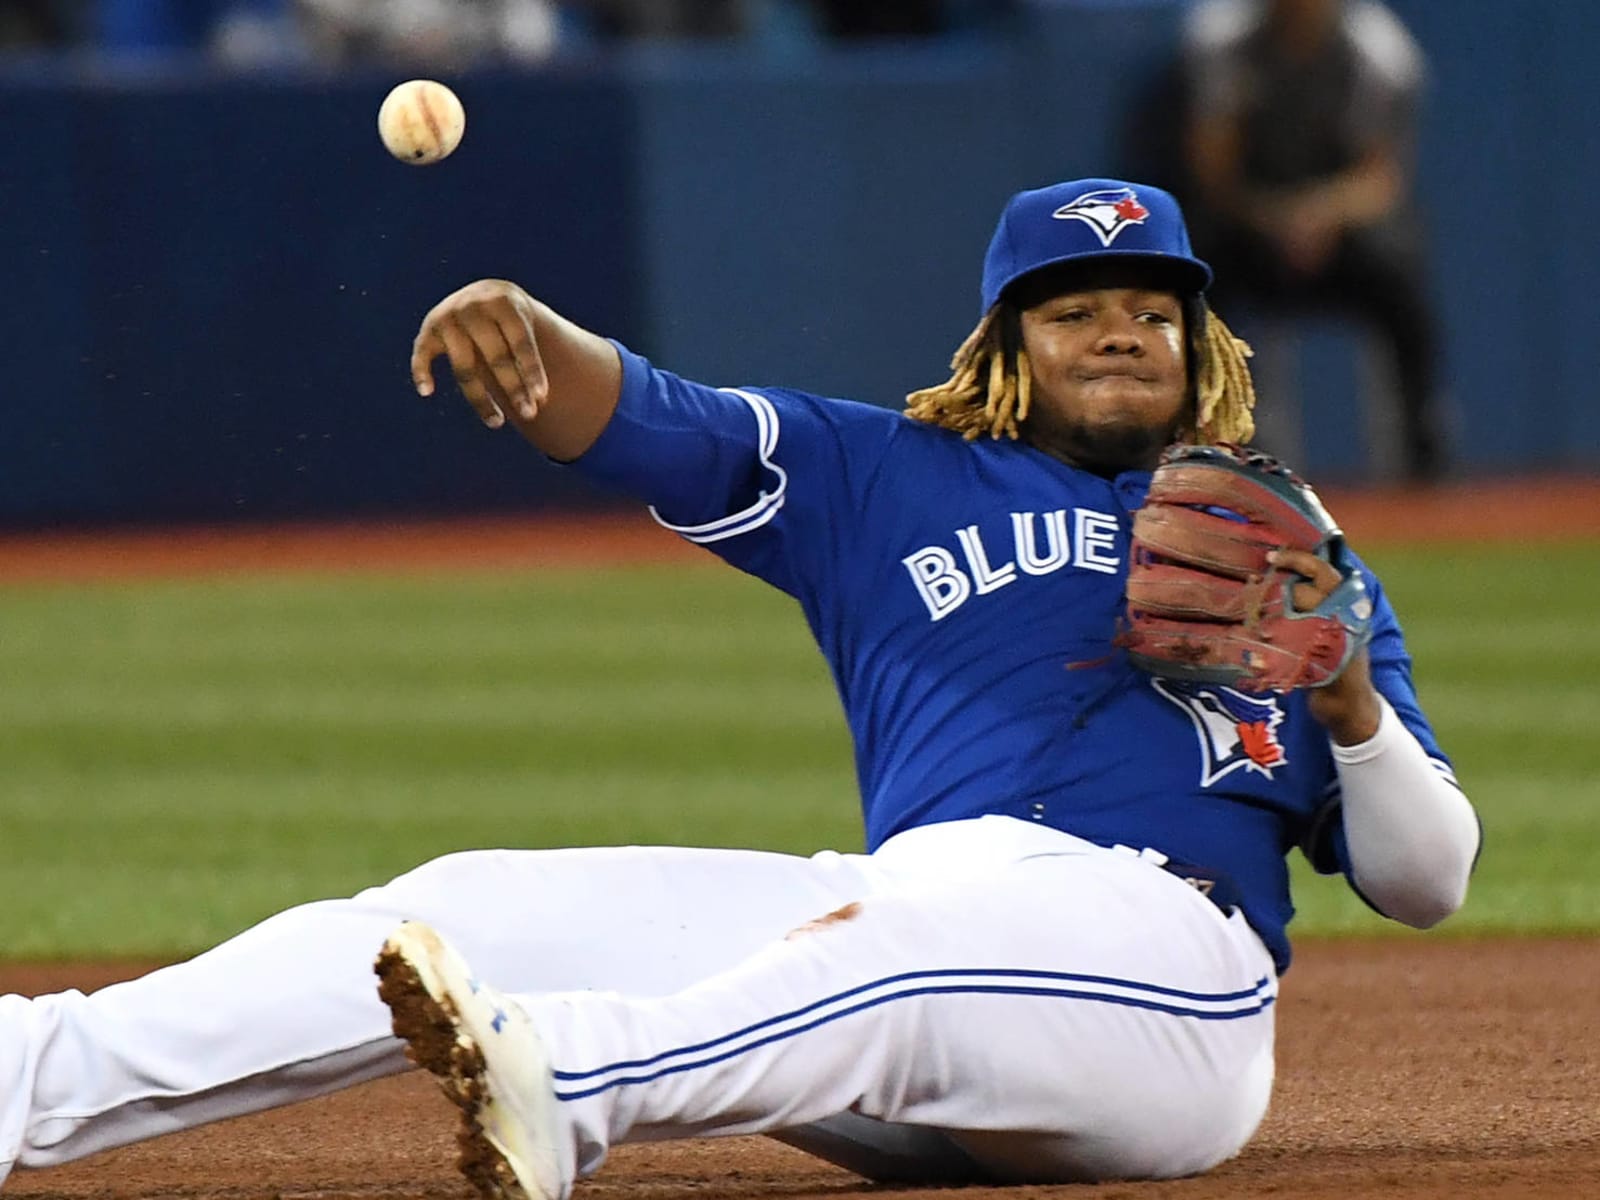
(287, 1010)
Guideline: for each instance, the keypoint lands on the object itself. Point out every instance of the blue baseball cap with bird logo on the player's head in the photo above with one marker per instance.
(1087, 220)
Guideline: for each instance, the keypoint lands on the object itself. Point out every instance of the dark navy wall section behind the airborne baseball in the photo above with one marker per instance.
(212, 289)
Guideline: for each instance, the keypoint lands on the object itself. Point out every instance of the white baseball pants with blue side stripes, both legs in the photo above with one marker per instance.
(977, 1001)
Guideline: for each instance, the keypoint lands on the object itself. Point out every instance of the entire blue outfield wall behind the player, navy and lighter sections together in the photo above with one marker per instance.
(212, 282)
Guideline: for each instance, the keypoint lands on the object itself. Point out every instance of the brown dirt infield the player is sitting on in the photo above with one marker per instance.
(1409, 1068)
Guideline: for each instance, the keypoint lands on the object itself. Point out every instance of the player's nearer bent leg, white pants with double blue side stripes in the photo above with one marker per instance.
(1065, 1017)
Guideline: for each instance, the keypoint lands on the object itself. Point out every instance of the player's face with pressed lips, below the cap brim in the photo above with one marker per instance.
(1110, 375)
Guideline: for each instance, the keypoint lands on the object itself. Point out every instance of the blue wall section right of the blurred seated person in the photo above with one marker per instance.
(1513, 174)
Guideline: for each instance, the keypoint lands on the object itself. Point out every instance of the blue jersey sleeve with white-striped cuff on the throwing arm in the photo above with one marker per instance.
(761, 478)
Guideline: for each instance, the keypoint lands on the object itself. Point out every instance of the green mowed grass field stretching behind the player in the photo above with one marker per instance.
(183, 759)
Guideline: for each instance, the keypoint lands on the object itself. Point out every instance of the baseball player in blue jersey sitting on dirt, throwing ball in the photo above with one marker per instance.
(1060, 954)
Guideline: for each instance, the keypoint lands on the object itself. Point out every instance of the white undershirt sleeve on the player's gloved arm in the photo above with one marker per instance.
(1412, 834)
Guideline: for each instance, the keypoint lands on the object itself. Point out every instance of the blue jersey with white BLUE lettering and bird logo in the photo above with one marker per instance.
(967, 596)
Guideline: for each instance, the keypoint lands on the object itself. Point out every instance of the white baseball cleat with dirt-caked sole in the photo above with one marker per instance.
(489, 1060)
